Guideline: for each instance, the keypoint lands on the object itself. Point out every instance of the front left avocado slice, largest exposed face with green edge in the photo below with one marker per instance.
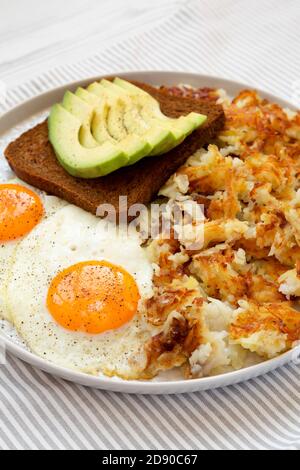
(79, 161)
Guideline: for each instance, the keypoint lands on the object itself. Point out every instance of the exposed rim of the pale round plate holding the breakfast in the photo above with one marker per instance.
(26, 112)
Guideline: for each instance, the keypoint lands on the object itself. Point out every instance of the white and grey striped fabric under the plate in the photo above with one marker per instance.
(256, 42)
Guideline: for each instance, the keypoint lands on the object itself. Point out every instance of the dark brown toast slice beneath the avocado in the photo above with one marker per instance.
(33, 160)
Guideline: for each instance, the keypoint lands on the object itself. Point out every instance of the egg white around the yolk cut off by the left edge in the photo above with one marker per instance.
(51, 205)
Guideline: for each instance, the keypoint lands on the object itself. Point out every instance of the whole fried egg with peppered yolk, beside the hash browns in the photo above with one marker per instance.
(75, 292)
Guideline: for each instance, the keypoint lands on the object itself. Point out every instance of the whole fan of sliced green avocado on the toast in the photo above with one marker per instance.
(110, 125)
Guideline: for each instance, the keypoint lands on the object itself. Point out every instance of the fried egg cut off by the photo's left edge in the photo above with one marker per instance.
(22, 208)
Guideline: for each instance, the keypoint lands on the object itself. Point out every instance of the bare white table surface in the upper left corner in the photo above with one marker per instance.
(36, 36)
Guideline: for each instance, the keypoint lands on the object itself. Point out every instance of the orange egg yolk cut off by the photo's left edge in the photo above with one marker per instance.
(20, 211)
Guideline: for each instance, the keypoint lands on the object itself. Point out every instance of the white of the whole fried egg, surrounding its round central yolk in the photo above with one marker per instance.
(71, 236)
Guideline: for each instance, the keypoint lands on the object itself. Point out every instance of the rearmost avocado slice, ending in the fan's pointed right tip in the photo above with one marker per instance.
(181, 127)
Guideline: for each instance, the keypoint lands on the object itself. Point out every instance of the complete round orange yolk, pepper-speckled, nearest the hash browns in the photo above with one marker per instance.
(93, 297)
